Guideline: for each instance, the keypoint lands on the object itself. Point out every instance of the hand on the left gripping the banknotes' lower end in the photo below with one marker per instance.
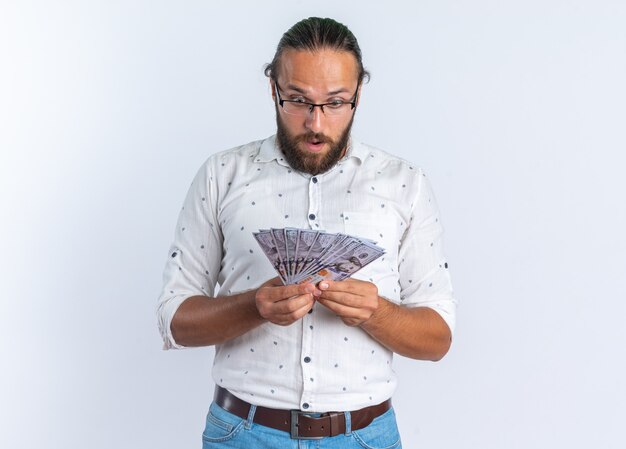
(285, 304)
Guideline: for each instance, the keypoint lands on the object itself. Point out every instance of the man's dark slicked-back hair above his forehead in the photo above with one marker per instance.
(314, 34)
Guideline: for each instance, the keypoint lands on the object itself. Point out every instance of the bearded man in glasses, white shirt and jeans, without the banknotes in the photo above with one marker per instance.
(307, 361)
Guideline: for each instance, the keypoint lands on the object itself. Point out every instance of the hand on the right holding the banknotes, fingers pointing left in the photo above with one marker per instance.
(351, 300)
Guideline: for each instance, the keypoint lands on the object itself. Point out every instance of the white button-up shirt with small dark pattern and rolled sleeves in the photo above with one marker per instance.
(318, 363)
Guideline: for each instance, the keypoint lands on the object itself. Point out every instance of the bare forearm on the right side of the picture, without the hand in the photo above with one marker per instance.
(418, 333)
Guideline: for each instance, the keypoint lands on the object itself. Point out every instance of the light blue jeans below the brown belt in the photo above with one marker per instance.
(225, 430)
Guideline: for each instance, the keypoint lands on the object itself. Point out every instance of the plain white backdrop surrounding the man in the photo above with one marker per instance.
(515, 109)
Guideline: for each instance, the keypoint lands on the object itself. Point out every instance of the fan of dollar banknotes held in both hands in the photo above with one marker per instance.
(303, 255)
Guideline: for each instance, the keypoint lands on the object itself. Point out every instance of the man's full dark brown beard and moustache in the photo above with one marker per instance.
(306, 162)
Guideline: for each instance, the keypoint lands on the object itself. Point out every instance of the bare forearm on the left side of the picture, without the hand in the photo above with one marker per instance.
(204, 321)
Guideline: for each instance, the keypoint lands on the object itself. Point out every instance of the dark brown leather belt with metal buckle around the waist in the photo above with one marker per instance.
(299, 424)
